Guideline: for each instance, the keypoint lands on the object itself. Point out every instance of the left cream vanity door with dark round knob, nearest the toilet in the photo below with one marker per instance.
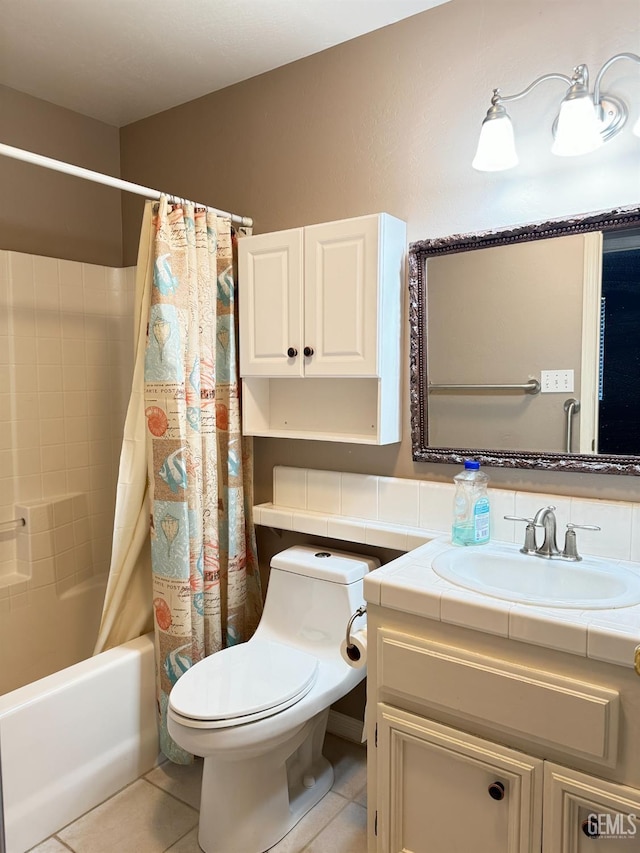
(441, 790)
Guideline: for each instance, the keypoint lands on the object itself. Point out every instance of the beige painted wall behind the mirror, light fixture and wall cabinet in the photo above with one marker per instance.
(389, 122)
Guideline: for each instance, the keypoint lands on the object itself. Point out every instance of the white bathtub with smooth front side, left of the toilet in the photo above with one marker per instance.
(72, 739)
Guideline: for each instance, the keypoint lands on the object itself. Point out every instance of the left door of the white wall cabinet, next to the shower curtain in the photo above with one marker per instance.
(270, 304)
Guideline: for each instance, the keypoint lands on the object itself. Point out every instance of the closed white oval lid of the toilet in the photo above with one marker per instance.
(248, 680)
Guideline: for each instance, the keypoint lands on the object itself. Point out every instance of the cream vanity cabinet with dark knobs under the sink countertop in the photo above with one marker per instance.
(482, 745)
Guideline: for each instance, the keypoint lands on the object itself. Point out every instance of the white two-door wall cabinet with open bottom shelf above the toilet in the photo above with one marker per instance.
(320, 330)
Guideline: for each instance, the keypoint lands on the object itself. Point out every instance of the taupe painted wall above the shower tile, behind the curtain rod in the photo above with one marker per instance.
(47, 213)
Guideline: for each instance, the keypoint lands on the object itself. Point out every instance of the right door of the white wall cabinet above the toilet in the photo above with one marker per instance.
(341, 297)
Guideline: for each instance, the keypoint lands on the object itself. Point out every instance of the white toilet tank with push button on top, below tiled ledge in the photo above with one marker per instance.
(312, 592)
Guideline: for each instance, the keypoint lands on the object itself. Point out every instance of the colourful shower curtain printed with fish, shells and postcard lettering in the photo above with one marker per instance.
(206, 584)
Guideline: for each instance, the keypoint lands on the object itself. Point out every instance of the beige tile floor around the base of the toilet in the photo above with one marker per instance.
(159, 812)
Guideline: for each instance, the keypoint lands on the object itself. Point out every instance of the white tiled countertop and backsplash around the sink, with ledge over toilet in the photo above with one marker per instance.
(364, 508)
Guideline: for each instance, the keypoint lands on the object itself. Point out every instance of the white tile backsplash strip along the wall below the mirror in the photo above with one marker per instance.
(315, 501)
